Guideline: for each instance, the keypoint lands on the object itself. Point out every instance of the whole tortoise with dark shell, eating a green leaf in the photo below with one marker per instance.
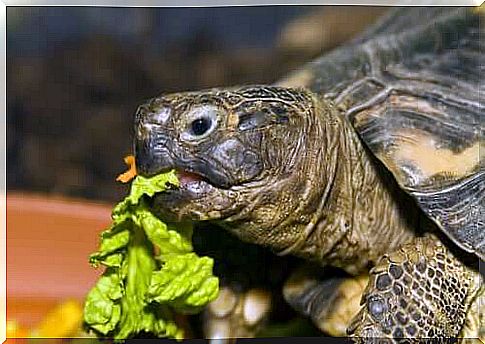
(368, 159)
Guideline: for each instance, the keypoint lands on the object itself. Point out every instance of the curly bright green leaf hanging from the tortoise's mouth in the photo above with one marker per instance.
(140, 290)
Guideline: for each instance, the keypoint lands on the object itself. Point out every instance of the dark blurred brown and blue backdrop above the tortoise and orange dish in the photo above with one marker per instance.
(75, 76)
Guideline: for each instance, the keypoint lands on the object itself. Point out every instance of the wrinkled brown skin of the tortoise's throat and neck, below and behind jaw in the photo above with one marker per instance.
(334, 207)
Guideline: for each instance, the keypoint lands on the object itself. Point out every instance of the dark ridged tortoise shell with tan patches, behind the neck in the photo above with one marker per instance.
(411, 86)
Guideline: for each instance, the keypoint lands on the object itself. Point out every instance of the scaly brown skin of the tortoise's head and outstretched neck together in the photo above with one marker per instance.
(319, 195)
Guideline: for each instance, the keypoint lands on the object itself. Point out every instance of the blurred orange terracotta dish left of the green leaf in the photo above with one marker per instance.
(48, 244)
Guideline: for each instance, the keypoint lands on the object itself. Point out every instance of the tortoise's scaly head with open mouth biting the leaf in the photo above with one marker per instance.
(243, 156)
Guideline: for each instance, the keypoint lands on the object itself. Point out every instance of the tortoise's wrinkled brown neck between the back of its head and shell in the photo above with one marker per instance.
(363, 213)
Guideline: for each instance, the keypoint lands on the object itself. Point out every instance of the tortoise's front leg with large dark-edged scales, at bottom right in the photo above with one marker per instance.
(420, 291)
